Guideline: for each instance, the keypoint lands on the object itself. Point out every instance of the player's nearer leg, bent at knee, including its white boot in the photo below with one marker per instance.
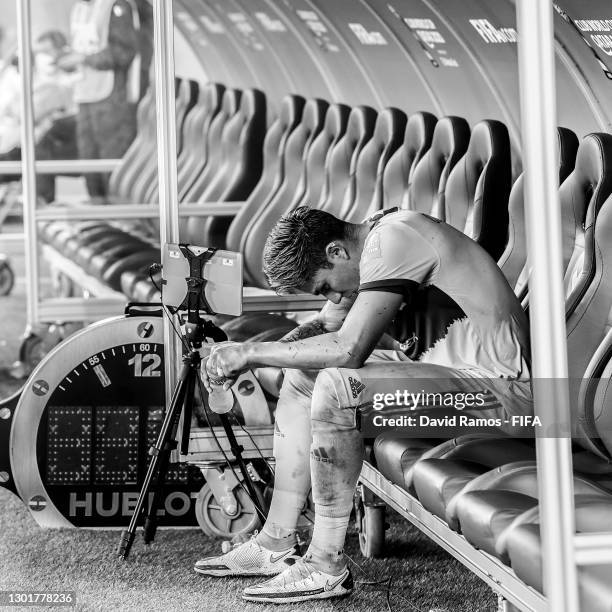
(335, 463)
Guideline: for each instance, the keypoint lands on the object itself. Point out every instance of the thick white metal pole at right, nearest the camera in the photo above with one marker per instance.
(546, 299)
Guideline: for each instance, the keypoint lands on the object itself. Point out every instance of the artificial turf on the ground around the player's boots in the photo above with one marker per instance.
(160, 576)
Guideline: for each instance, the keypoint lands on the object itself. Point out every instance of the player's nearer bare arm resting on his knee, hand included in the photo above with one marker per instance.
(349, 347)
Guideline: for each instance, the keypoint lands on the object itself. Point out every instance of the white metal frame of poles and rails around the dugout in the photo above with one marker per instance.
(562, 548)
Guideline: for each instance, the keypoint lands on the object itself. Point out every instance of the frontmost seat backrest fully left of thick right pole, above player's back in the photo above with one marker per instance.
(476, 194)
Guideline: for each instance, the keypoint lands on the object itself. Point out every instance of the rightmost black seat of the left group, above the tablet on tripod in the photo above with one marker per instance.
(242, 163)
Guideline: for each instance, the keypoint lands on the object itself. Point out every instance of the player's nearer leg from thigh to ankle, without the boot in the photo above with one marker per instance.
(337, 444)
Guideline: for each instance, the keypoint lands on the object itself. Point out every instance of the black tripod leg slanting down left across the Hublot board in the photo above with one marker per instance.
(166, 435)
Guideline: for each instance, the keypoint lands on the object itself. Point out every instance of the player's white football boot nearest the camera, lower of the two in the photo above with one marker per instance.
(300, 582)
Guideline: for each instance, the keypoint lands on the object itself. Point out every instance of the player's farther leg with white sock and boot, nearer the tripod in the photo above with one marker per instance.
(275, 547)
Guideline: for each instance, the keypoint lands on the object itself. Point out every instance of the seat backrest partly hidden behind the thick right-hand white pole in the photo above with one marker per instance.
(514, 256)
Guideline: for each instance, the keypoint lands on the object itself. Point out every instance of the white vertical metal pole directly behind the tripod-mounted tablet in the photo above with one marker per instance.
(166, 160)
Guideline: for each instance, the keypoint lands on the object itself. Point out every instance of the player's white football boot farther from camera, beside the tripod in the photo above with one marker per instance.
(248, 559)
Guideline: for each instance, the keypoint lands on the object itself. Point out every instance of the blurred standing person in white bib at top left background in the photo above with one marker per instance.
(105, 56)
